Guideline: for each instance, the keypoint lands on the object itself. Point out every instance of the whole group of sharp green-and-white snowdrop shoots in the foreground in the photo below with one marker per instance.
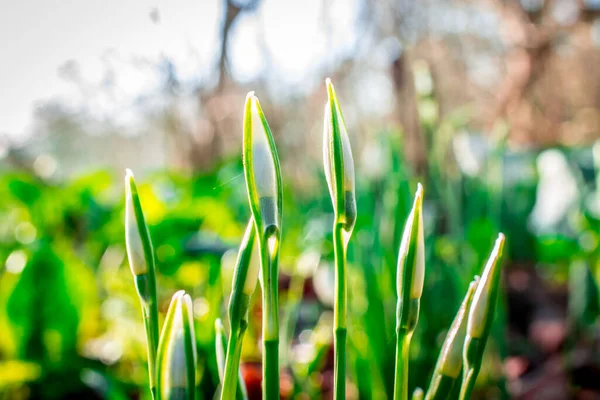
(171, 350)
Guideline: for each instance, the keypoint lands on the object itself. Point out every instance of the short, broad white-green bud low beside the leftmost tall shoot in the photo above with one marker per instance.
(176, 357)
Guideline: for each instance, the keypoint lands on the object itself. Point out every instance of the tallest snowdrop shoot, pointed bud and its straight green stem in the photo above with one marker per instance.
(339, 172)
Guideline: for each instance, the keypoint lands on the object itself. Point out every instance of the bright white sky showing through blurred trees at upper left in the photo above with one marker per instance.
(38, 37)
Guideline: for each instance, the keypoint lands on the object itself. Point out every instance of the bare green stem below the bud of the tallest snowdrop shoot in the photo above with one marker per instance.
(340, 311)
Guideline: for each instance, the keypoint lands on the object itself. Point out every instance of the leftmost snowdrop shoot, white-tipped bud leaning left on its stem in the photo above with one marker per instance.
(141, 261)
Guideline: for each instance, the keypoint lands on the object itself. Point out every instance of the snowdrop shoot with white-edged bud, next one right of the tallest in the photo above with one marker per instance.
(410, 276)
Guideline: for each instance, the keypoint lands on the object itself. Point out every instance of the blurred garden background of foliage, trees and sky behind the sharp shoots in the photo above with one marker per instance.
(493, 105)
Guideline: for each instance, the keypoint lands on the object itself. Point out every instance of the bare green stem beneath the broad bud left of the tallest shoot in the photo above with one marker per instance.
(269, 261)
